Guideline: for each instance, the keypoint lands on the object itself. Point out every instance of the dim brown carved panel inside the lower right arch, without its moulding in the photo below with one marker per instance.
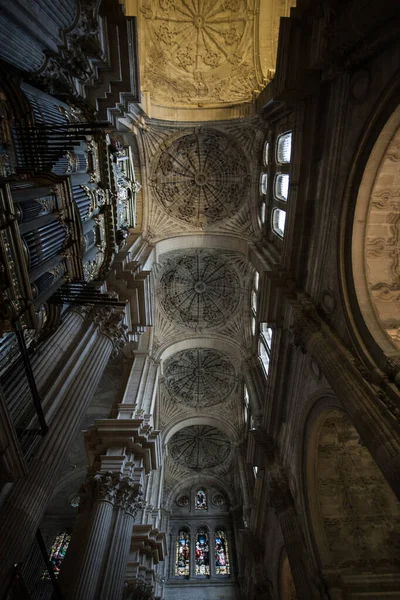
(359, 512)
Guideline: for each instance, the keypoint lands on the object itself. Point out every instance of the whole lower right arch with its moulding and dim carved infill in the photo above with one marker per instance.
(353, 513)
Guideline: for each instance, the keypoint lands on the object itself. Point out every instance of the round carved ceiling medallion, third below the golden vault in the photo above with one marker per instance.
(199, 377)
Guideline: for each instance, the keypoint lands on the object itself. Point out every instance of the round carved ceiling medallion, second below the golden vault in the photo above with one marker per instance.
(199, 289)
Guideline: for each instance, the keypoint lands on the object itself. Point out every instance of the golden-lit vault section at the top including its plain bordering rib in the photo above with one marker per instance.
(202, 54)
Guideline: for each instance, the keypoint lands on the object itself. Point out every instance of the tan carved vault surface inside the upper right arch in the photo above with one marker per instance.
(375, 239)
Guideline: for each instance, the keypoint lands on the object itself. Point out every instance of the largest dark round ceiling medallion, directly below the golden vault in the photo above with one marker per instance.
(201, 177)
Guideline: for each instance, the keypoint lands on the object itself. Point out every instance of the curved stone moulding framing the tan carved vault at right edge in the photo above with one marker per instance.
(371, 342)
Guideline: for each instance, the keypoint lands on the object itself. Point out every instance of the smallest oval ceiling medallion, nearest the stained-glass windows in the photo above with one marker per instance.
(199, 447)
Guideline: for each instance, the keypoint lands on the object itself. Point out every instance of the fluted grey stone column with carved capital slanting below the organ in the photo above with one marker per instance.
(23, 509)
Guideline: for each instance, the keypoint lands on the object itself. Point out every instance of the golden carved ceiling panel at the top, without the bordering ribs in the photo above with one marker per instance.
(200, 52)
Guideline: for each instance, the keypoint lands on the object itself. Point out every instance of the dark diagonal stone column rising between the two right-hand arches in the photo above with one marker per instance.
(370, 412)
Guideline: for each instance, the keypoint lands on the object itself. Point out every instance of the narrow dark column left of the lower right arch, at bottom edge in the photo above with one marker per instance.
(282, 502)
